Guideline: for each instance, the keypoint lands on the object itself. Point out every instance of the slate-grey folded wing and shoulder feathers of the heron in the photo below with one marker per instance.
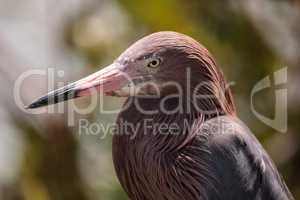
(239, 163)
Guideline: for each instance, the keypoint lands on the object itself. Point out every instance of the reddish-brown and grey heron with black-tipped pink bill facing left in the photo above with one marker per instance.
(203, 151)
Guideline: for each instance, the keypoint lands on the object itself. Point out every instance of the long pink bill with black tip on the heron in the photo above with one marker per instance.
(107, 80)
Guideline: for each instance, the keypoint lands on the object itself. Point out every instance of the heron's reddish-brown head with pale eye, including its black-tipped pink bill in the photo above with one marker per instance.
(163, 63)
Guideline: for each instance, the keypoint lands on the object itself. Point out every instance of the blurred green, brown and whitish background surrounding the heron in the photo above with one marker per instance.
(42, 158)
